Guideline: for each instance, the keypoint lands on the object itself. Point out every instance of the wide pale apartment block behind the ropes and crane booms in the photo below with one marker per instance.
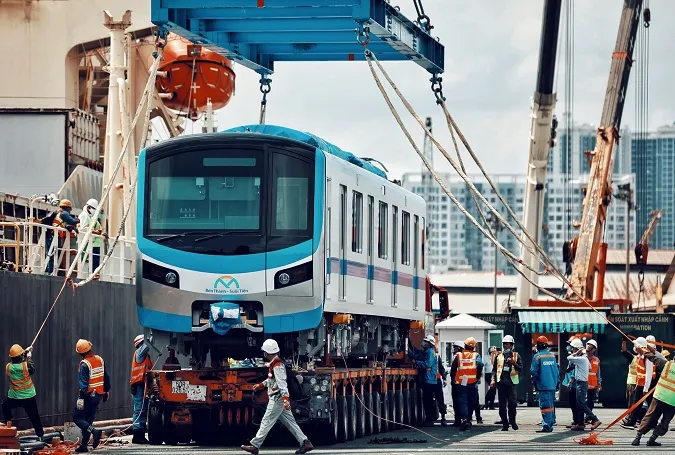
(454, 243)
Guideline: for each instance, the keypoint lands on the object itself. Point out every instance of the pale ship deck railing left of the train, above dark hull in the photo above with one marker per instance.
(27, 246)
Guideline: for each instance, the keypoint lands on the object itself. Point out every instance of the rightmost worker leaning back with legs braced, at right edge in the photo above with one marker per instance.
(663, 403)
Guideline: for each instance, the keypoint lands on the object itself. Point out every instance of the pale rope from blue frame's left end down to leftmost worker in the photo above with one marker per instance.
(144, 98)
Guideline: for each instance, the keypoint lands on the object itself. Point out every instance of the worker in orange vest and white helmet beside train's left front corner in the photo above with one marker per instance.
(140, 365)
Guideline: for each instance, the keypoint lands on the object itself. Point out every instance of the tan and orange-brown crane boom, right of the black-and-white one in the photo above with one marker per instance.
(598, 193)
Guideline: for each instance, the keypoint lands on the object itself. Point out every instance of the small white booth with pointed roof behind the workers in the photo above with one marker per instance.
(459, 328)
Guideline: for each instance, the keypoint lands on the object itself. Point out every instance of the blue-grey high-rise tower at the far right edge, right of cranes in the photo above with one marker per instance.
(653, 162)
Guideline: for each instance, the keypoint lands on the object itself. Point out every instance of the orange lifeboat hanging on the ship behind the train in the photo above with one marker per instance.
(190, 75)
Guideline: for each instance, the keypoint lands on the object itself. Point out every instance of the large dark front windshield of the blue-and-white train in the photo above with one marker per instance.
(228, 201)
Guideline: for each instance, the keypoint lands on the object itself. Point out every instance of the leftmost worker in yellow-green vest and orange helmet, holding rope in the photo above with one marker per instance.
(21, 392)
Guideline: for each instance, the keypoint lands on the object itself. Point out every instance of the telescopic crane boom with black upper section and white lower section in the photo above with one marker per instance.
(542, 137)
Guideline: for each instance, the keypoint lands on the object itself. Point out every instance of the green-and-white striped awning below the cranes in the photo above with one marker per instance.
(570, 321)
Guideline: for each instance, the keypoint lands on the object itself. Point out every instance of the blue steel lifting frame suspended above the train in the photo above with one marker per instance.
(258, 33)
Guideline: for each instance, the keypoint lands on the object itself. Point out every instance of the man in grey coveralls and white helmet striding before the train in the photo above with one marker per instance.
(279, 405)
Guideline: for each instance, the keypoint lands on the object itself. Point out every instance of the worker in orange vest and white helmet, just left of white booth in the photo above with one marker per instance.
(466, 368)
